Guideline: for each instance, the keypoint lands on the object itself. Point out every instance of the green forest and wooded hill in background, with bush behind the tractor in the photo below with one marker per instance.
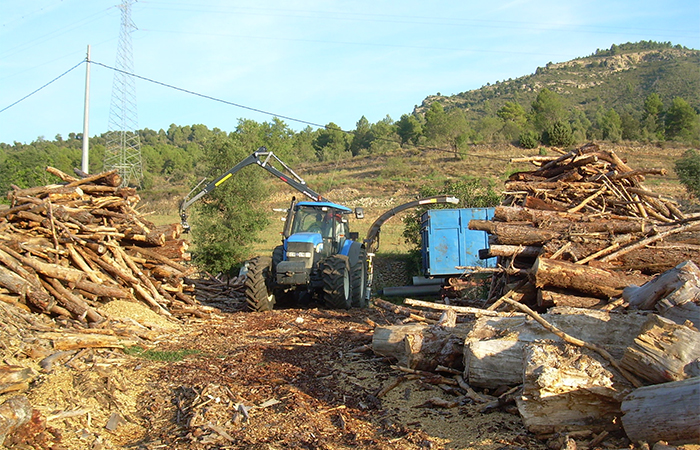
(645, 92)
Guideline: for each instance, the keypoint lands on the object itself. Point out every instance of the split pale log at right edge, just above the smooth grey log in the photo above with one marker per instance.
(664, 351)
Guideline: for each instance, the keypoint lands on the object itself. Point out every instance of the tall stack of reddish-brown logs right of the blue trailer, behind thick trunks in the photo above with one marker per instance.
(581, 228)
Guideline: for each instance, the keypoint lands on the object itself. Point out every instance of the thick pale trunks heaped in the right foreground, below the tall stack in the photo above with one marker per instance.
(579, 373)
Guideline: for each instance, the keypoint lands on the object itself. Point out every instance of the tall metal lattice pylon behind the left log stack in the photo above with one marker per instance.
(123, 147)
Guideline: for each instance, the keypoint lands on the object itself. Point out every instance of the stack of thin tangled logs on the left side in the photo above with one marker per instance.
(65, 248)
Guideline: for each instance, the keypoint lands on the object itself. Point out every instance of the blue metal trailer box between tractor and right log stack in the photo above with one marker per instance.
(449, 243)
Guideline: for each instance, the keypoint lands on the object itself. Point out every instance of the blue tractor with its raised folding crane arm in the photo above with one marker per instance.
(319, 258)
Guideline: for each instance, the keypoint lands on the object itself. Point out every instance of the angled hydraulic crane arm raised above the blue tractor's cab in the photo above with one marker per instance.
(262, 158)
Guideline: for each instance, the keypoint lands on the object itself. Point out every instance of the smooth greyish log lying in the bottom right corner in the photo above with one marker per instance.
(668, 412)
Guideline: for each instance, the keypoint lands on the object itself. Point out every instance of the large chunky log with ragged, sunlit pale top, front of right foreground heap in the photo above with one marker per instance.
(568, 389)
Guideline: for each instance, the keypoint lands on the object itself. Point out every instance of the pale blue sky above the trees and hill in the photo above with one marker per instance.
(313, 61)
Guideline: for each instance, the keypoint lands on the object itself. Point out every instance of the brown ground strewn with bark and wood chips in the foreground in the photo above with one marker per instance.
(286, 379)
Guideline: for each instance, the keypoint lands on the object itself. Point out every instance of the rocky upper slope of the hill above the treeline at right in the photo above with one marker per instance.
(619, 78)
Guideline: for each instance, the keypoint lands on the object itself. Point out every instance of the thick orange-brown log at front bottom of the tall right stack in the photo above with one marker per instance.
(586, 279)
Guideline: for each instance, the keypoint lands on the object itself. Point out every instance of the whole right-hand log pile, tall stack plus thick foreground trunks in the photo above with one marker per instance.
(614, 267)
